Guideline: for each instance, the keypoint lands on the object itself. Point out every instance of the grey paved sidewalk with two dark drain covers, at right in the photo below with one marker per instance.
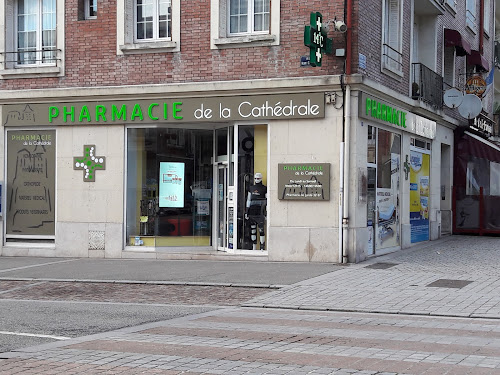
(456, 276)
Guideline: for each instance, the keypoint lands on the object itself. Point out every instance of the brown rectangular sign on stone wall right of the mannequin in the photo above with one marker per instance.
(304, 181)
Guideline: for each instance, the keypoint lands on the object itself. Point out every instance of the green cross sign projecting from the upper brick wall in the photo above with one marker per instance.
(315, 37)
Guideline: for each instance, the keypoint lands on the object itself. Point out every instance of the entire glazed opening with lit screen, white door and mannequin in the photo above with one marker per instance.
(181, 187)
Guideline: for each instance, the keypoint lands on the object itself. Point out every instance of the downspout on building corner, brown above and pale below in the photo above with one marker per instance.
(345, 145)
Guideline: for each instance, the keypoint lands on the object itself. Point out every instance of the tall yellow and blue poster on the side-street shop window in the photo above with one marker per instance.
(419, 196)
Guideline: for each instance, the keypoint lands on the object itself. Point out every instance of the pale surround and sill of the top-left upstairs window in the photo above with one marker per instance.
(8, 43)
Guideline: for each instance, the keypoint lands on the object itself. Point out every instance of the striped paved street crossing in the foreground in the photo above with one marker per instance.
(275, 341)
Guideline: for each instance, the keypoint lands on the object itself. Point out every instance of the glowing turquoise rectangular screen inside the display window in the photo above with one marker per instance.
(171, 185)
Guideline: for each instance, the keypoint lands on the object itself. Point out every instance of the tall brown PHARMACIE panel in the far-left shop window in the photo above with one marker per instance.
(31, 163)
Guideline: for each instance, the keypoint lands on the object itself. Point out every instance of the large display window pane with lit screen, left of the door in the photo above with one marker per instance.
(169, 187)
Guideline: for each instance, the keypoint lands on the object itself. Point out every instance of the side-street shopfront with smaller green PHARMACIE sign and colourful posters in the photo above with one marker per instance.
(399, 181)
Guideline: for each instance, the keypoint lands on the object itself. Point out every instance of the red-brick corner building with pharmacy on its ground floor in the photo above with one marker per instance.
(170, 112)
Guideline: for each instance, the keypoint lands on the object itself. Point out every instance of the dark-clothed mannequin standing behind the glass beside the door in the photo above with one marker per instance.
(255, 212)
